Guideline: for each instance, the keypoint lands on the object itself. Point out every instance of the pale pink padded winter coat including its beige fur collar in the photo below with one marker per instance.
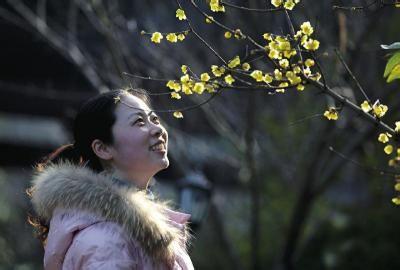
(95, 224)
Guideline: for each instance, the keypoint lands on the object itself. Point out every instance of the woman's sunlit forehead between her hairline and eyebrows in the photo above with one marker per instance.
(131, 104)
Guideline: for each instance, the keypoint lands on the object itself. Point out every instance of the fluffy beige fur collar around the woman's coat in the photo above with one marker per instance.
(71, 187)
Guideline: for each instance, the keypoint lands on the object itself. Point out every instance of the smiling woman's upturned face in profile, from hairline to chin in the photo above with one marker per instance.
(140, 142)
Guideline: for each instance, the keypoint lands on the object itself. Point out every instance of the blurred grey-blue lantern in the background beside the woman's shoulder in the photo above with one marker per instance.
(195, 193)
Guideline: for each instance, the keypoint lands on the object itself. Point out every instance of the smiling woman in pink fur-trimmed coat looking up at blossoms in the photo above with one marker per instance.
(92, 195)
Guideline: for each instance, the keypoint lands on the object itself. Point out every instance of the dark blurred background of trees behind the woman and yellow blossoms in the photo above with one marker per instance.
(255, 170)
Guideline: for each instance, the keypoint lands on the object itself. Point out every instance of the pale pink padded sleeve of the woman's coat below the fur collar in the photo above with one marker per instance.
(99, 247)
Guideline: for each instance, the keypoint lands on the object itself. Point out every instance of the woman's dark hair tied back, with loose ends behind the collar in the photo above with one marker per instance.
(93, 121)
